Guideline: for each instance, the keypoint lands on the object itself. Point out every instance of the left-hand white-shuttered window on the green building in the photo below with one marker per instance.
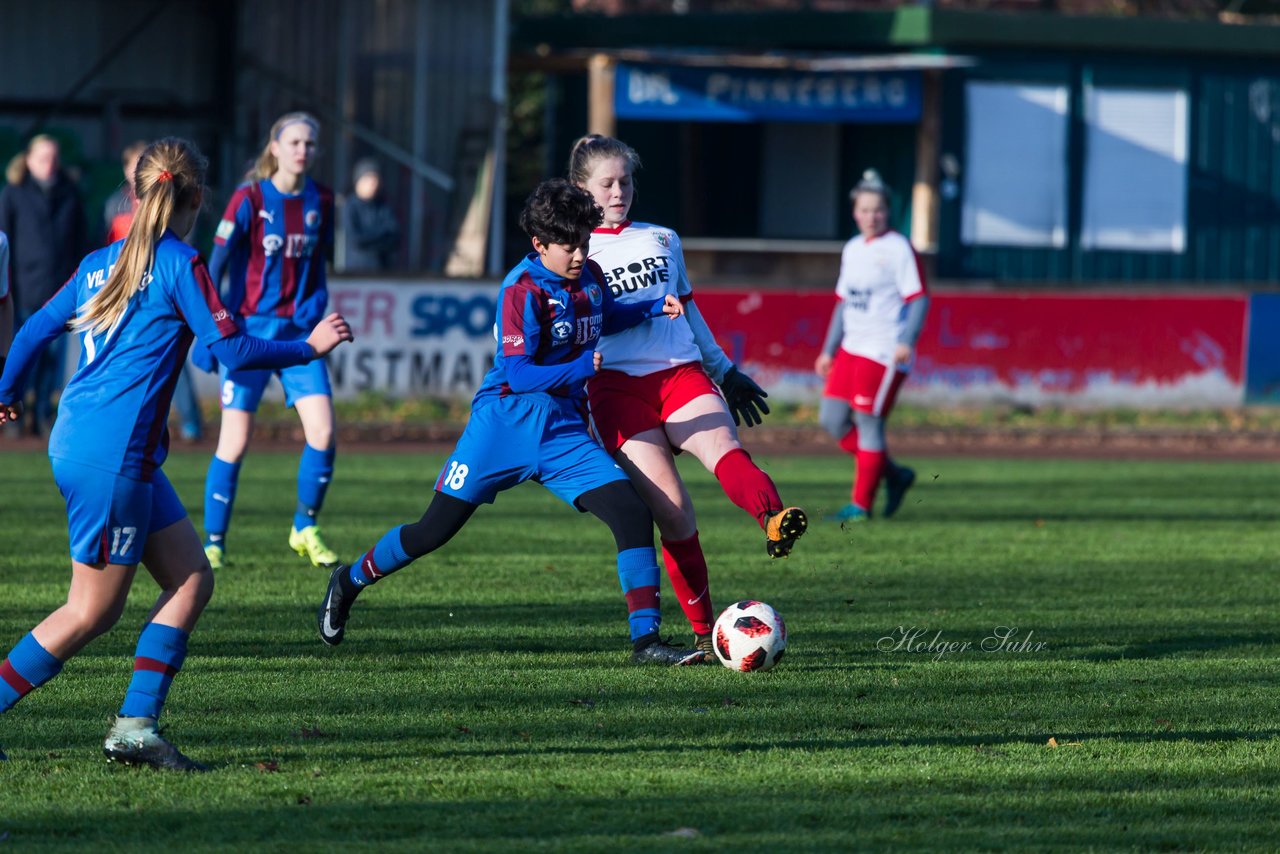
(1016, 166)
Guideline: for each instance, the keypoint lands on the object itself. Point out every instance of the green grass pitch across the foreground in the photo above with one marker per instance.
(483, 701)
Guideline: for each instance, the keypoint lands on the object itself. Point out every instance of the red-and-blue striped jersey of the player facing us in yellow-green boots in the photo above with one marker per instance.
(275, 249)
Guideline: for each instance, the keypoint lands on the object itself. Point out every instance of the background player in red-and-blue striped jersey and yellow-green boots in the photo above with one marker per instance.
(273, 244)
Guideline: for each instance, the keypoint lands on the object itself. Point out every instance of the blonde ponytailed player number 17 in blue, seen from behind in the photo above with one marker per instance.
(136, 307)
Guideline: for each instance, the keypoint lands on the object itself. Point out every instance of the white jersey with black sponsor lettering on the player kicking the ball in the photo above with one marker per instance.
(644, 262)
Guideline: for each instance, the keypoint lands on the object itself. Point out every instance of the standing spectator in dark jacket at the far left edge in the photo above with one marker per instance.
(43, 214)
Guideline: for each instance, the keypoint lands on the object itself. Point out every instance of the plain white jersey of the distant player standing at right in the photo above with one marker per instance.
(877, 280)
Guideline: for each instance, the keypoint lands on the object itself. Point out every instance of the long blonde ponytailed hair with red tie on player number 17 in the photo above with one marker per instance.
(171, 175)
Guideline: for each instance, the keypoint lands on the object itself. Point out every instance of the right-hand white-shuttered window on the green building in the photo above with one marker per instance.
(1135, 171)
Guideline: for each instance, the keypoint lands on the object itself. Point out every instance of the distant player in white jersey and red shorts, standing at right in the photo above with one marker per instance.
(870, 348)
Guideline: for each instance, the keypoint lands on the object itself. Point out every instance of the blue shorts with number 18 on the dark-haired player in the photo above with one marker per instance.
(518, 439)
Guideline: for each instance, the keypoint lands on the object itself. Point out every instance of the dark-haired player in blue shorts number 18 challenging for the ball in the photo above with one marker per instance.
(528, 422)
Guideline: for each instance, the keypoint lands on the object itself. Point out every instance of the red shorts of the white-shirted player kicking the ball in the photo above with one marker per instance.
(624, 407)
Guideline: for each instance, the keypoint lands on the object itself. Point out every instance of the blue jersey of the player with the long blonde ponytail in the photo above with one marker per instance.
(113, 414)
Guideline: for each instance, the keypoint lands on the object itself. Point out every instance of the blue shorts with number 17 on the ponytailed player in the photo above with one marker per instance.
(109, 517)
